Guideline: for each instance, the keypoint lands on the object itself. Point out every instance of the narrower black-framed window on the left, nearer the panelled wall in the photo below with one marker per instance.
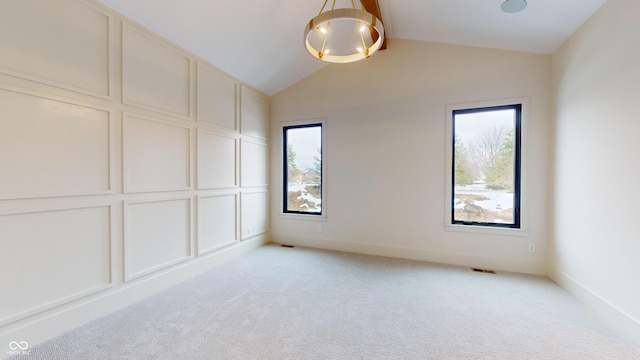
(302, 154)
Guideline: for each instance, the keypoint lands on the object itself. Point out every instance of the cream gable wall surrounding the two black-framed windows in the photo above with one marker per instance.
(385, 153)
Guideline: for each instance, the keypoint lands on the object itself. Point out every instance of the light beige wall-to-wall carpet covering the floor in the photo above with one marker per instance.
(300, 303)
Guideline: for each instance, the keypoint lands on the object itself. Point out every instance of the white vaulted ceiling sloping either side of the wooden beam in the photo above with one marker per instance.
(260, 42)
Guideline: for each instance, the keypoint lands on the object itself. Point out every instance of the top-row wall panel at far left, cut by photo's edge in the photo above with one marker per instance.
(62, 42)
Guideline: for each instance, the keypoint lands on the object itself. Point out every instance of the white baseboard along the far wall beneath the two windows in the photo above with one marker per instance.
(459, 259)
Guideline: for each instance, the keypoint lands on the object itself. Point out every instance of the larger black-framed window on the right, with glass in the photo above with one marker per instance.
(486, 174)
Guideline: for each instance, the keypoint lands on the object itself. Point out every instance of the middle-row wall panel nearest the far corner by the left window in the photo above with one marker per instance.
(253, 163)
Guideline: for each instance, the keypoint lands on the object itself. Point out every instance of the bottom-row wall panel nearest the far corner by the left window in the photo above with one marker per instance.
(255, 216)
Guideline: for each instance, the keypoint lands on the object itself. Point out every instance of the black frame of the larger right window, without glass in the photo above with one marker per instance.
(517, 164)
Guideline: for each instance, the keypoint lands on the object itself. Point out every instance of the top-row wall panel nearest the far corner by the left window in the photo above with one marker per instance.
(254, 113)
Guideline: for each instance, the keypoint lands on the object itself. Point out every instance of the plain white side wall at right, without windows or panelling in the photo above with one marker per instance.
(596, 81)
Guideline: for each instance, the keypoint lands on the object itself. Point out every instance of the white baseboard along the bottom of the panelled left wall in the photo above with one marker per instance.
(48, 324)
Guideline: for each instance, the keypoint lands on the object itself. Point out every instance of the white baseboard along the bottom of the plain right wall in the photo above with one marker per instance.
(615, 316)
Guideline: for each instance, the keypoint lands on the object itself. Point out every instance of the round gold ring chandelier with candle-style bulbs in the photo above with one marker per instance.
(343, 35)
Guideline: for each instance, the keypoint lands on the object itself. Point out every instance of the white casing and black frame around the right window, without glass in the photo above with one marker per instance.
(520, 225)
